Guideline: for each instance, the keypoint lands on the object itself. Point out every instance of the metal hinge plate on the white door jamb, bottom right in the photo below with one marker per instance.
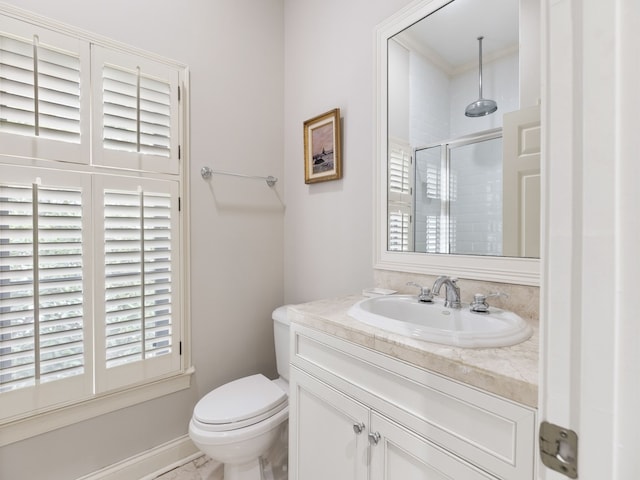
(559, 449)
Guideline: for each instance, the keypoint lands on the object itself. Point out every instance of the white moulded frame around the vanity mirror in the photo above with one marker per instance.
(521, 271)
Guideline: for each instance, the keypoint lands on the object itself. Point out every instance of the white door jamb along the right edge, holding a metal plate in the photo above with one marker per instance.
(590, 368)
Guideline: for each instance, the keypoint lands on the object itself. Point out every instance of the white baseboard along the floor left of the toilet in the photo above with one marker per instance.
(151, 463)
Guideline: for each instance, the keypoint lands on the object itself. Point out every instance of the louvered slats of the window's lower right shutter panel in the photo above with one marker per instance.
(138, 276)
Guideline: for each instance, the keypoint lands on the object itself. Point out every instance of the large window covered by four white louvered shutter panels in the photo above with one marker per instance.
(91, 227)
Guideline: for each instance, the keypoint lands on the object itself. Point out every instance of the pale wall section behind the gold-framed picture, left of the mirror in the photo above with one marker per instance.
(329, 62)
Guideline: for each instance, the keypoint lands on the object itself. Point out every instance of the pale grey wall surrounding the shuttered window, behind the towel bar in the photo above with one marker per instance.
(234, 49)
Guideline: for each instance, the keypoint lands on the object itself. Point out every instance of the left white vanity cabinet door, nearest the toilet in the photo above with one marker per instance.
(323, 443)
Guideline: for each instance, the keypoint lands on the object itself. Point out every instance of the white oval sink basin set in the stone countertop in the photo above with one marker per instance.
(405, 315)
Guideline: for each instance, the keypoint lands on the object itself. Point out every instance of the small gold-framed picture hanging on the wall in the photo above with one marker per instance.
(322, 156)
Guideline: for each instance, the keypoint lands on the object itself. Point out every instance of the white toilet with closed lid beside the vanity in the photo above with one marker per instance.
(238, 422)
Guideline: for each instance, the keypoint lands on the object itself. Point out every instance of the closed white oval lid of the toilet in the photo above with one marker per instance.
(240, 403)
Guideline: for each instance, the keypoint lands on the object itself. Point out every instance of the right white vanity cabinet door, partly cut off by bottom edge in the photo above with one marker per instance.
(400, 454)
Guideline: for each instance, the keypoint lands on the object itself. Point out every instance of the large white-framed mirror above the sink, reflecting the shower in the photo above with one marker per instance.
(460, 193)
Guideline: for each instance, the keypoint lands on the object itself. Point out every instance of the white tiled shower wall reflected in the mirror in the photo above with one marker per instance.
(438, 115)
